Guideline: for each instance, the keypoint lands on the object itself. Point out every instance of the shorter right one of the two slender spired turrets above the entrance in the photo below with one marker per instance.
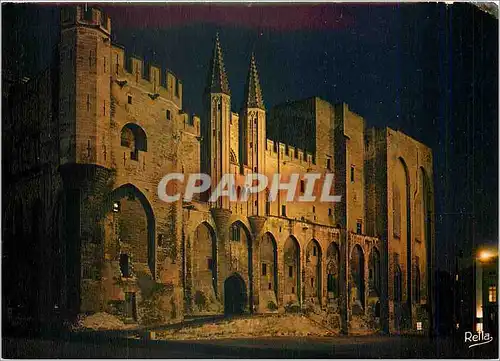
(253, 132)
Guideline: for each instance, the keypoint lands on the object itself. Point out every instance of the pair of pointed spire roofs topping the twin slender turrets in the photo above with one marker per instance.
(218, 81)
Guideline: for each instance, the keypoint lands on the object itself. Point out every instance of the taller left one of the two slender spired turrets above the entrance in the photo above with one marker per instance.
(216, 124)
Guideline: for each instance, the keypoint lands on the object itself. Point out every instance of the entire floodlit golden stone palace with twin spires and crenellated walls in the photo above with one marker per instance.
(87, 142)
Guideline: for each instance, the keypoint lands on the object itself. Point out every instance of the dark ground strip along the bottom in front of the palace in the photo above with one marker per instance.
(106, 345)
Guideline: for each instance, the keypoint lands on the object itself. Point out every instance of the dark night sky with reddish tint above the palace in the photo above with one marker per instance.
(429, 70)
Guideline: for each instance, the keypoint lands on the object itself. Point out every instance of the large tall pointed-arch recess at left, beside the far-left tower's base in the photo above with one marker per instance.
(129, 246)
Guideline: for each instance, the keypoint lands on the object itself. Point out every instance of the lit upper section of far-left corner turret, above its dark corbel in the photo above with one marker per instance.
(84, 103)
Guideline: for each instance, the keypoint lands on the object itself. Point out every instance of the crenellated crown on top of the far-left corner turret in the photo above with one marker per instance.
(85, 15)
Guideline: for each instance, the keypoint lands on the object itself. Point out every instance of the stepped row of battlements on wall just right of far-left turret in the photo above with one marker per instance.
(131, 72)
